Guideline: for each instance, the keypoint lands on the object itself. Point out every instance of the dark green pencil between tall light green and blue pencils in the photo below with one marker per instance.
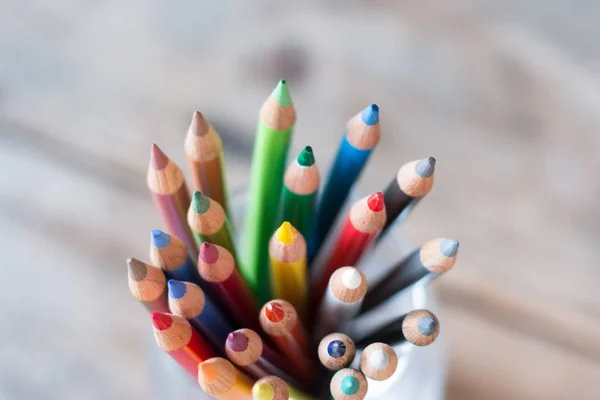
(300, 185)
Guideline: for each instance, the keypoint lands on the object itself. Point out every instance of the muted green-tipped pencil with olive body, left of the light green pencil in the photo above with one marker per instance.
(209, 223)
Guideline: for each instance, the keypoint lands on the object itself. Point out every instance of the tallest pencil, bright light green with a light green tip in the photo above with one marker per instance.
(273, 134)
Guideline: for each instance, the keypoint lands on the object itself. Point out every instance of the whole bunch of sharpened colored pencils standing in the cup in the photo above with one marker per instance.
(243, 318)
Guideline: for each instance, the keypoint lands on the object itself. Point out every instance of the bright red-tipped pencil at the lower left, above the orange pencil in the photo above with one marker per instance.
(176, 337)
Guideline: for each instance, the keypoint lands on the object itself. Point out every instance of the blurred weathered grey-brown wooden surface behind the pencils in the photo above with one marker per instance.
(505, 94)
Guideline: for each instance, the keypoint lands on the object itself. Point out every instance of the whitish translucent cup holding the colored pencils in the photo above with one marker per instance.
(421, 371)
